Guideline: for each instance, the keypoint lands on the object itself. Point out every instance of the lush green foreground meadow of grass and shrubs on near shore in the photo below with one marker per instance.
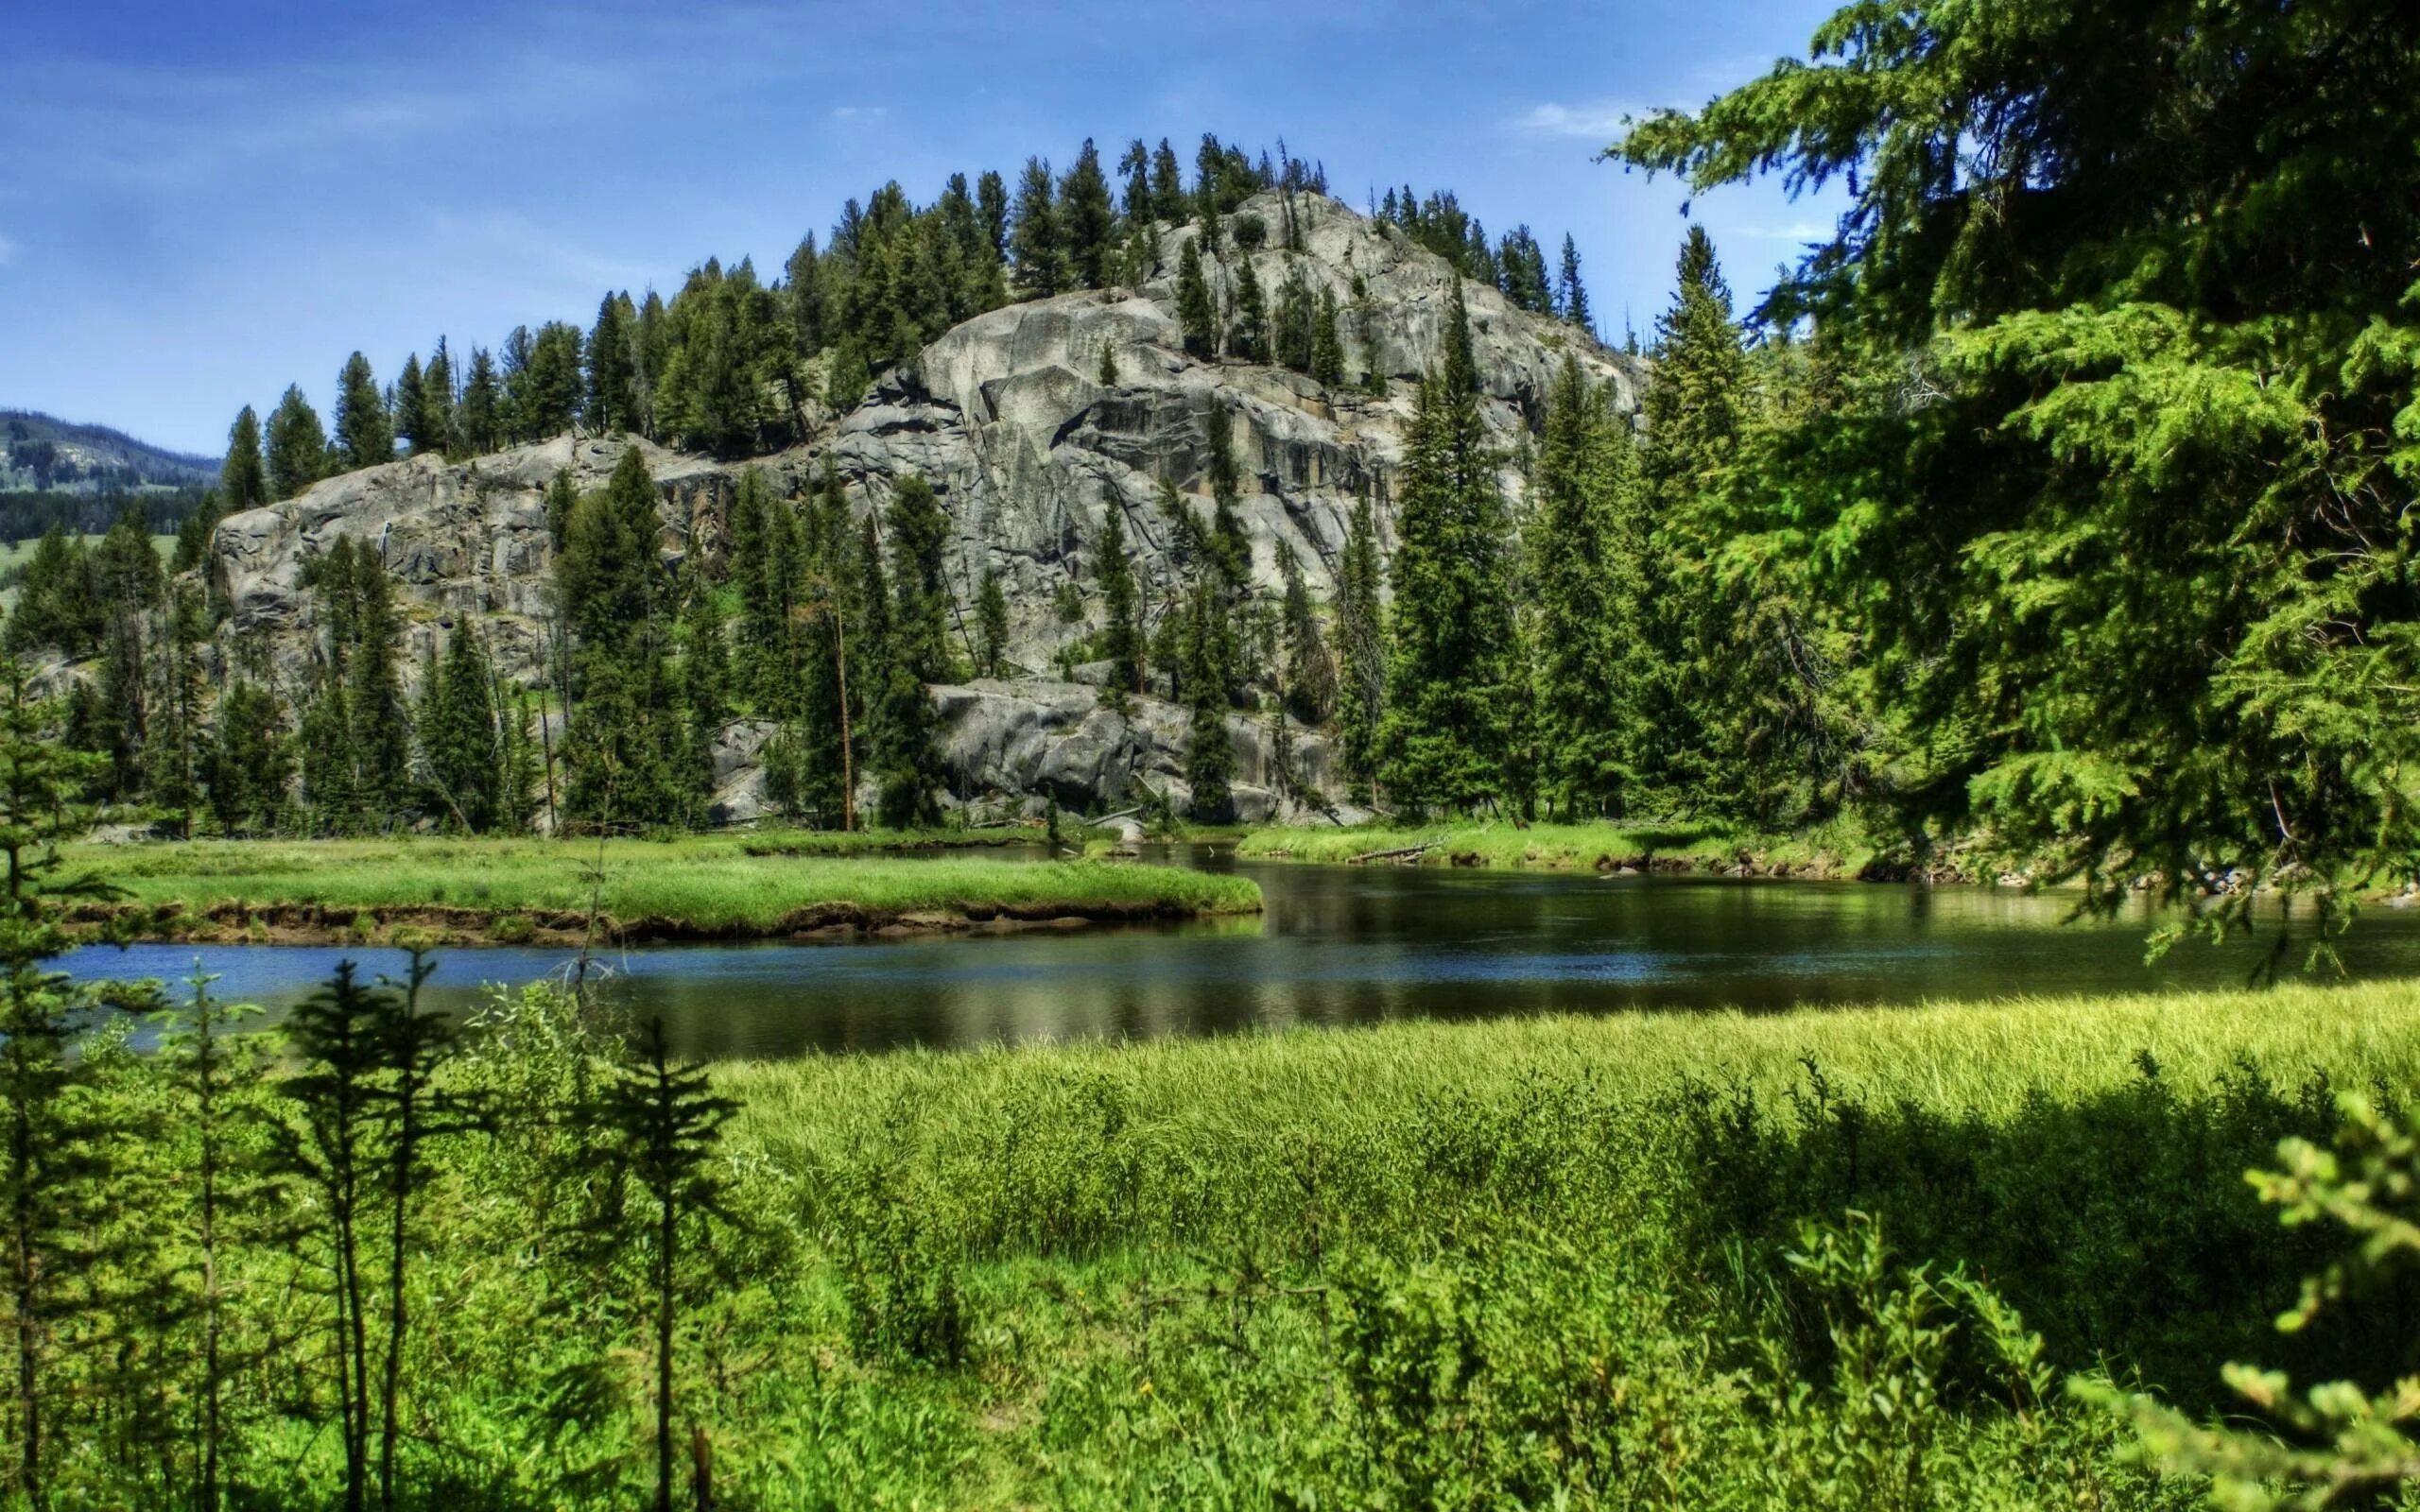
(1652, 1262)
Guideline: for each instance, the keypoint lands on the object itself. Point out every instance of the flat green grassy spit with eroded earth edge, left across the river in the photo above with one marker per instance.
(684, 889)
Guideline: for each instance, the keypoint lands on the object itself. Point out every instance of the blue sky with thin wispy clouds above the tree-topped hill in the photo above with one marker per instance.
(202, 204)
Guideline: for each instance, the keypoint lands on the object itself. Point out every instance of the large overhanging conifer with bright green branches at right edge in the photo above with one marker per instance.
(2099, 454)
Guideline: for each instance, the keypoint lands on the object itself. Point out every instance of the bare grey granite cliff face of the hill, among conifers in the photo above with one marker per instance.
(1027, 446)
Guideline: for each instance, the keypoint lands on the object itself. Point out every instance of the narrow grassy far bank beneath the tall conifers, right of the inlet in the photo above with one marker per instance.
(1826, 853)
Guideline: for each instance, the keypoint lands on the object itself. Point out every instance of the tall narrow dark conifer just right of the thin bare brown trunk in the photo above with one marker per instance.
(918, 654)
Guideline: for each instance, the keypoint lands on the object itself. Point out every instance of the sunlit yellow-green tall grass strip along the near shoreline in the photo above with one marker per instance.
(1988, 1058)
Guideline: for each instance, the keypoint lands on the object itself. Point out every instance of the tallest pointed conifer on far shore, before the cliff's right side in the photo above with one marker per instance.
(1453, 621)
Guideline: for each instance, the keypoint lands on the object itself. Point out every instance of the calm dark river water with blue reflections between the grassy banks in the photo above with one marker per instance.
(1344, 945)
